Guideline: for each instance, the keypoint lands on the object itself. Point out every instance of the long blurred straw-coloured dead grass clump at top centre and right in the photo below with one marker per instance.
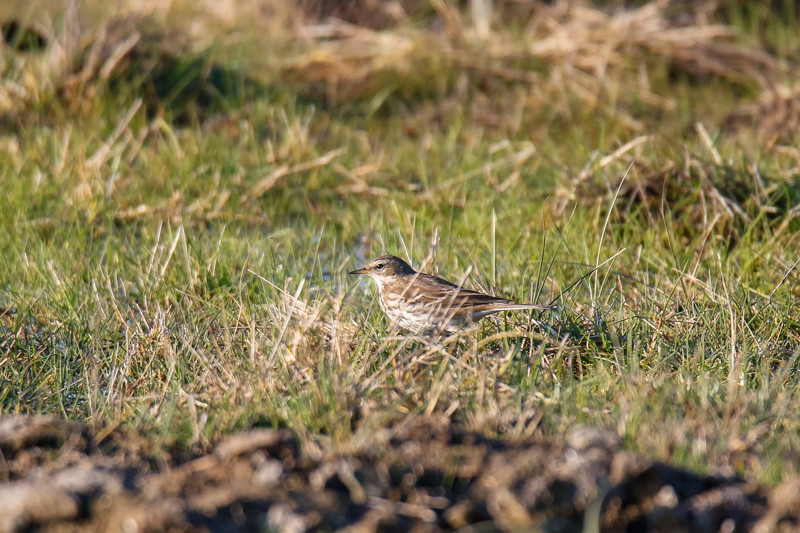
(567, 47)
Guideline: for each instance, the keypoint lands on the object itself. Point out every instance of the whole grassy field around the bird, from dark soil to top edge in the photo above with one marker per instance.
(184, 190)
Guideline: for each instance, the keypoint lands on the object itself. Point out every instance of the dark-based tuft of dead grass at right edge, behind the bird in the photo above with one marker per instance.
(709, 193)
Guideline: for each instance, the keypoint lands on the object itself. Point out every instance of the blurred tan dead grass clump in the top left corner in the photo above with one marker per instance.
(85, 46)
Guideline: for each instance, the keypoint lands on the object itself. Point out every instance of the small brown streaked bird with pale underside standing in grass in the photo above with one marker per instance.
(423, 303)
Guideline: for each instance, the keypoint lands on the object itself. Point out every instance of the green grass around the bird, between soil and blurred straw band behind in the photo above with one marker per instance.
(147, 250)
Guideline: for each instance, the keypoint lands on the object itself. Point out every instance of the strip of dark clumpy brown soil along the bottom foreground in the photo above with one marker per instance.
(426, 475)
